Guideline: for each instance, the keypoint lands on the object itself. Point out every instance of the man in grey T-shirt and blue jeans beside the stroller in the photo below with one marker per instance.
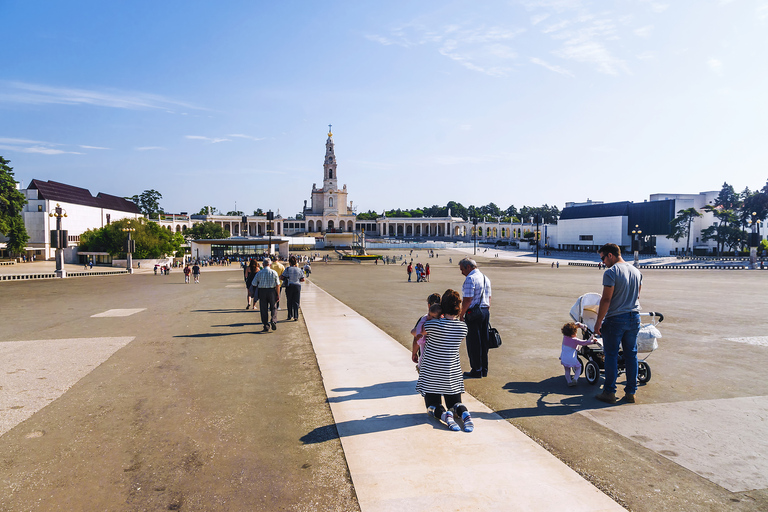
(618, 321)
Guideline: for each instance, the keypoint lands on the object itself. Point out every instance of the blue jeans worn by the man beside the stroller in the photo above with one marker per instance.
(620, 330)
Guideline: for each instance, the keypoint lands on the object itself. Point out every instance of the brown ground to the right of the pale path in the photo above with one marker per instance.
(531, 302)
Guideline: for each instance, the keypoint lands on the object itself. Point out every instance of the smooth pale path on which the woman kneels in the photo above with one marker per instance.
(399, 458)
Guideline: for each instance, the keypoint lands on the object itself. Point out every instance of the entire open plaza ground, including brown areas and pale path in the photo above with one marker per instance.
(142, 393)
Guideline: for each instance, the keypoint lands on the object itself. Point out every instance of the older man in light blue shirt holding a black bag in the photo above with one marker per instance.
(475, 311)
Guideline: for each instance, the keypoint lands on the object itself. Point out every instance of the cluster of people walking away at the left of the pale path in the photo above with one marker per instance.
(265, 284)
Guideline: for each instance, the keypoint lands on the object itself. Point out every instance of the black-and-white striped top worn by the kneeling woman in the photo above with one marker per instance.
(440, 367)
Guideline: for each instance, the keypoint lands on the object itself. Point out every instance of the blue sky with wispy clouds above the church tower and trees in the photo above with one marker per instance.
(518, 102)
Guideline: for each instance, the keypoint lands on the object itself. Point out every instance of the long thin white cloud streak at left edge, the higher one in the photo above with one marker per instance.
(35, 94)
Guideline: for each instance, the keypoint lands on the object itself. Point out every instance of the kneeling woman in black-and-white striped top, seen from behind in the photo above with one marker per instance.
(440, 373)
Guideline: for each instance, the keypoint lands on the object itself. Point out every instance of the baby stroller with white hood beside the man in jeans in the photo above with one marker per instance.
(592, 357)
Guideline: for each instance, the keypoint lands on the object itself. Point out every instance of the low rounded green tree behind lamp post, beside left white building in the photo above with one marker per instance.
(152, 240)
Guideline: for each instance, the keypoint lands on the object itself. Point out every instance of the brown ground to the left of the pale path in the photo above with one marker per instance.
(199, 412)
